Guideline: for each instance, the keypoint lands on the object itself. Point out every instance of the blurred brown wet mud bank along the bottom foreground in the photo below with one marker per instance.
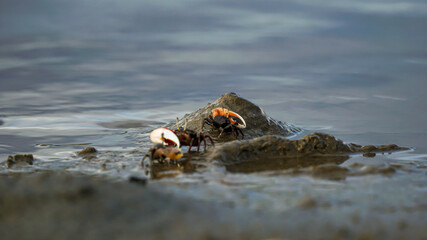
(53, 206)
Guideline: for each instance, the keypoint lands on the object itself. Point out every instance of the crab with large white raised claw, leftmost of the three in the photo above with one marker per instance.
(167, 147)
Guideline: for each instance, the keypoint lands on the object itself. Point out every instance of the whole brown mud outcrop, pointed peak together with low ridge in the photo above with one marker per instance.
(265, 148)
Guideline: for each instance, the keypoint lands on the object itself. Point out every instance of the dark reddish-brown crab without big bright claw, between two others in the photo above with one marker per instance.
(188, 137)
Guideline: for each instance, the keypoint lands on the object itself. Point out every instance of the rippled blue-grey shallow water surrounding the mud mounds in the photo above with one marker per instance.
(94, 73)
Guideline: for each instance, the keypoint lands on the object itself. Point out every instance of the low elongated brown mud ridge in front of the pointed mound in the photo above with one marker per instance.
(273, 148)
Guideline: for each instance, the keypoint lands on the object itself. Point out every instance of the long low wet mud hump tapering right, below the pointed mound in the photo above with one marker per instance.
(272, 152)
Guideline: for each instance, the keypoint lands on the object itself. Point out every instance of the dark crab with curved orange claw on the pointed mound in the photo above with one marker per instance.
(221, 118)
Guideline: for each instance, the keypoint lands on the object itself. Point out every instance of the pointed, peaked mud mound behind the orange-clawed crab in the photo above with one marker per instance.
(257, 121)
